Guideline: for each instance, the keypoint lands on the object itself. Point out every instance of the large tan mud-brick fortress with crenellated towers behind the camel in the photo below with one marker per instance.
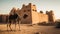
(29, 15)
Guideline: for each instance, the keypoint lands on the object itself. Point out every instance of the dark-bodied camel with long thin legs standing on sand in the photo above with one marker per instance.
(13, 19)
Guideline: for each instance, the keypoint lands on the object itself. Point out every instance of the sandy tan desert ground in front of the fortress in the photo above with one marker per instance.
(29, 29)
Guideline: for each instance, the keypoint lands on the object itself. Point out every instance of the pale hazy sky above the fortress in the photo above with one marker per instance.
(44, 5)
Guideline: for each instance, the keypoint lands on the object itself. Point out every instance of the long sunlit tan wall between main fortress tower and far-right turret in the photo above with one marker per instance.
(39, 17)
